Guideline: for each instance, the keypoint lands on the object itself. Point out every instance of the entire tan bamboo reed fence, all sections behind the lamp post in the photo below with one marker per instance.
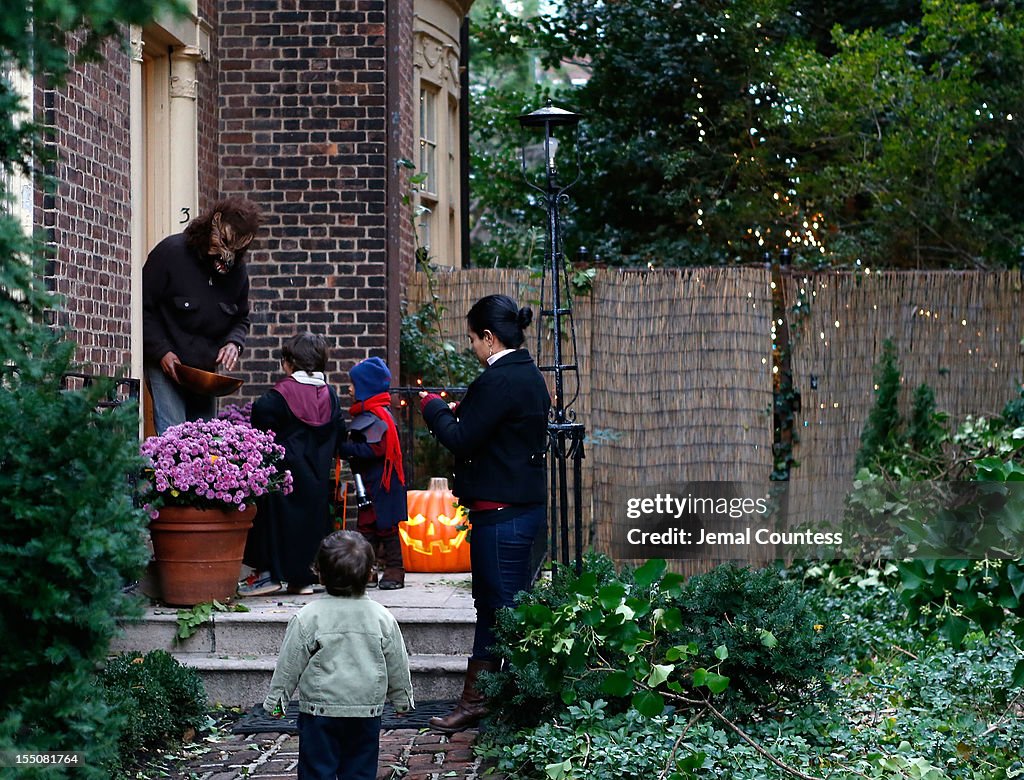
(675, 370)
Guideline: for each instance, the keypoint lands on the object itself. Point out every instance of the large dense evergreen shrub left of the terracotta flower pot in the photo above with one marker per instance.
(70, 539)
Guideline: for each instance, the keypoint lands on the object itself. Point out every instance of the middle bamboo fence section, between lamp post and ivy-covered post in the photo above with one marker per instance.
(681, 380)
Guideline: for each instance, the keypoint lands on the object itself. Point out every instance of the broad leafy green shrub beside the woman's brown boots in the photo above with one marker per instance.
(630, 638)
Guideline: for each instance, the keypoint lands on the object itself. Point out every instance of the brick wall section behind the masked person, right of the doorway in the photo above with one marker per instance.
(304, 132)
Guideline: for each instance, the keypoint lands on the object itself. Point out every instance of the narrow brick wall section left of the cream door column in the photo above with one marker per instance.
(88, 215)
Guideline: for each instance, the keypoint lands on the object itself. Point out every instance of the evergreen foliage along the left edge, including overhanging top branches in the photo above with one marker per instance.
(70, 536)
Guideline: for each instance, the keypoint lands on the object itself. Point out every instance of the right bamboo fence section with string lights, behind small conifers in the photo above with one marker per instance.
(957, 331)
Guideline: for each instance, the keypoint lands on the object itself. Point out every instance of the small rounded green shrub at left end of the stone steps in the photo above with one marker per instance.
(162, 702)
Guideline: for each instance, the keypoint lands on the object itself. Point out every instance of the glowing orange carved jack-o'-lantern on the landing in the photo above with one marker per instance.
(436, 538)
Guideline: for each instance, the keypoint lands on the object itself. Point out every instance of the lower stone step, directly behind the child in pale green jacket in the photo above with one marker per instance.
(244, 681)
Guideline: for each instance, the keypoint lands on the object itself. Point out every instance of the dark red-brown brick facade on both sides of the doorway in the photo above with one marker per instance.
(298, 109)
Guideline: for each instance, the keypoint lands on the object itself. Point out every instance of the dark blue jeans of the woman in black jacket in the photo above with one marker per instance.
(502, 551)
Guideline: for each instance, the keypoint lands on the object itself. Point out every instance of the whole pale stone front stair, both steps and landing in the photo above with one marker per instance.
(236, 653)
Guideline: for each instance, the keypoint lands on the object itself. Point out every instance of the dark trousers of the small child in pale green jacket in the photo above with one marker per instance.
(338, 749)
